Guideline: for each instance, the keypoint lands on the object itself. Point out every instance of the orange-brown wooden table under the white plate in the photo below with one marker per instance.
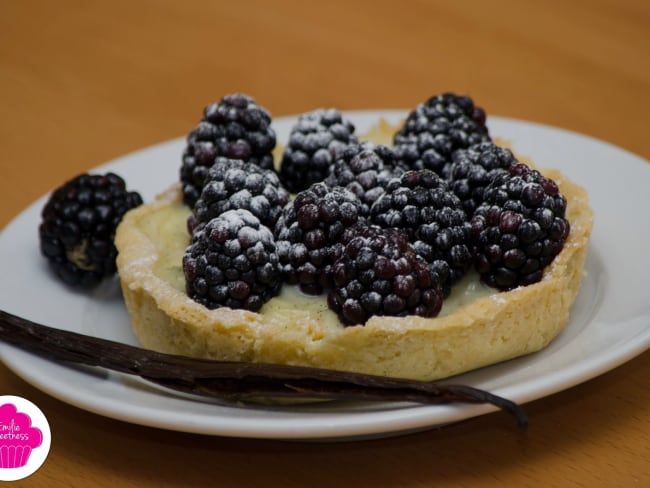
(83, 82)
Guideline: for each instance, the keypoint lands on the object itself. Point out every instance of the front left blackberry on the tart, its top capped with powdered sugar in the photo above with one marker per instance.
(232, 262)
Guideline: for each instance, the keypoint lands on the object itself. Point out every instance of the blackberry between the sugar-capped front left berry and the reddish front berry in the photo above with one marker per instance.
(308, 234)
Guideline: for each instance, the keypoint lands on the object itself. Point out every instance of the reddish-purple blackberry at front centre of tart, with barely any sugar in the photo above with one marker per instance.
(379, 273)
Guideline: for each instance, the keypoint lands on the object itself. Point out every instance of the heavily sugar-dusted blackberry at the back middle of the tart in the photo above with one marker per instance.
(317, 139)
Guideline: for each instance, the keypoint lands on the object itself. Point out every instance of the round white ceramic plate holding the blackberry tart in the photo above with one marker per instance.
(610, 323)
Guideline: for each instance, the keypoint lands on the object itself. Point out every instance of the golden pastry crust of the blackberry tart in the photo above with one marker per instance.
(488, 330)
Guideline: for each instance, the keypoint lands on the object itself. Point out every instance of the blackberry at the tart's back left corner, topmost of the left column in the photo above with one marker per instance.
(235, 127)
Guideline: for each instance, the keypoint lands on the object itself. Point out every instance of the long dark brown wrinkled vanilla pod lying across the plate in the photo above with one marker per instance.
(235, 380)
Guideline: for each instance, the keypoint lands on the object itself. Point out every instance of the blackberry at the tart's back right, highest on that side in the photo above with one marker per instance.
(436, 128)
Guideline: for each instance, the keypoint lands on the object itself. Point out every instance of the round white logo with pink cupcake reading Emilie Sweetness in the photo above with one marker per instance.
(24, 438)
